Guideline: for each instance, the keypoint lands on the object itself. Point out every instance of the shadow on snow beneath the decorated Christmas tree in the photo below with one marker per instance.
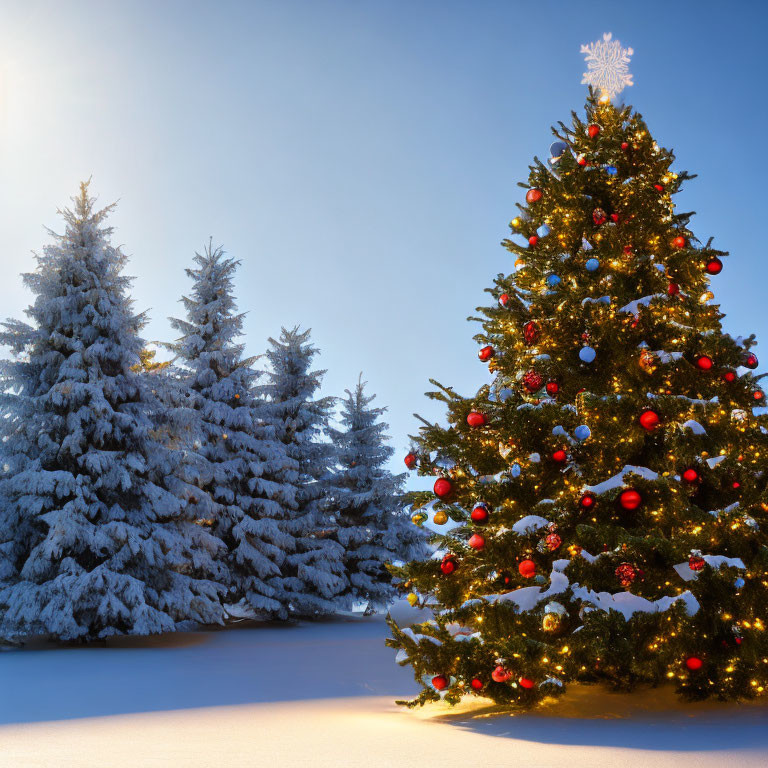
(651, 719)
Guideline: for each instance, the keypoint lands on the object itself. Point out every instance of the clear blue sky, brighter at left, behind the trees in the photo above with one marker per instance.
(360, 158)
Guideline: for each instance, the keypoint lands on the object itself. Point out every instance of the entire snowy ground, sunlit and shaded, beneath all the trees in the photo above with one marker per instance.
(322, 695)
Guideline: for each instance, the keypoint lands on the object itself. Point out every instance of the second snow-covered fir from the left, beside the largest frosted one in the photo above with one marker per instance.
(247, 472)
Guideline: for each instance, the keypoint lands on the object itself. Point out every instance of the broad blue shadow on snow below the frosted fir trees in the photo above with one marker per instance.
(249, 663)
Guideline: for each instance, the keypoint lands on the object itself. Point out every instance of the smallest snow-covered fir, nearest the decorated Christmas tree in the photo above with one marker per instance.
(365, 499)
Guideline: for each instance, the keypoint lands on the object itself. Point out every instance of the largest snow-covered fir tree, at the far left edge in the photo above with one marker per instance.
(95, 534)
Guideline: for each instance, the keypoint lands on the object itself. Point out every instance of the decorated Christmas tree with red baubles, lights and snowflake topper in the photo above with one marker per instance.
(608, 489)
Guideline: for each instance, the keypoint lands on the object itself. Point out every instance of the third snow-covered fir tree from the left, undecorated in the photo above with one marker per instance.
(312, 574)
